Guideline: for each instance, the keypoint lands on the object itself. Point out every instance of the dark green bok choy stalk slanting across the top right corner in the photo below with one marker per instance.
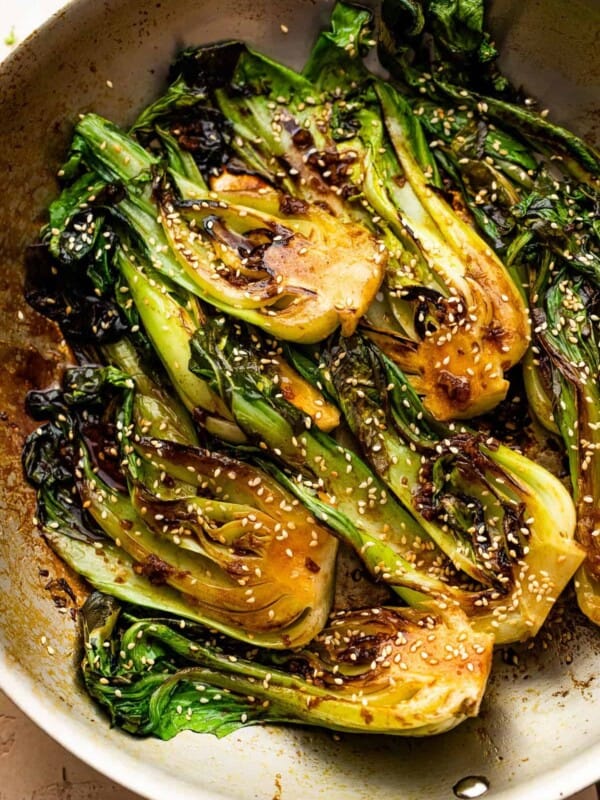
(443, 51)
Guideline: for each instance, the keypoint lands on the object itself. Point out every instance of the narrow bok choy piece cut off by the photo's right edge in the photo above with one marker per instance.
(566, 368)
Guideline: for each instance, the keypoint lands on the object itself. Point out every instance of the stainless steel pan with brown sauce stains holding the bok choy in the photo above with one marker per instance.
(539, 732)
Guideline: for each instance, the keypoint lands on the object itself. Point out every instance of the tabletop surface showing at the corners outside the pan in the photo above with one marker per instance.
(32, 765)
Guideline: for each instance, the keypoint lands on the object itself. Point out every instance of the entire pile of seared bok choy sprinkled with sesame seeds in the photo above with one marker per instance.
(285, 294)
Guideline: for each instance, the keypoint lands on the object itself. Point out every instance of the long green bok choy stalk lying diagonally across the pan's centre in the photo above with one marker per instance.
(330, 479)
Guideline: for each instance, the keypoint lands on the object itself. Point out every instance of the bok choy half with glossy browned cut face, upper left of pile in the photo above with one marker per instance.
(290, 268)
